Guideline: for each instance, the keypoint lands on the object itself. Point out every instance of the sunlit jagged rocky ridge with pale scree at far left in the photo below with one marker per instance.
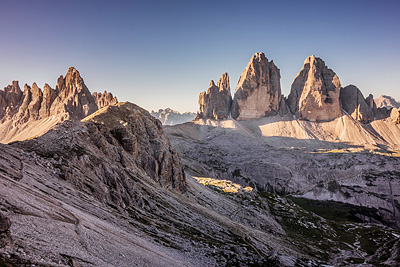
(33, 112)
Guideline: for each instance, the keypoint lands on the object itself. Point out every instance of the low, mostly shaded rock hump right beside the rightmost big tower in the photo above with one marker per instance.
(354, 103)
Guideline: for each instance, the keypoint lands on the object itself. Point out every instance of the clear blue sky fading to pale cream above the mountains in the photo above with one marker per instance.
(161, 54)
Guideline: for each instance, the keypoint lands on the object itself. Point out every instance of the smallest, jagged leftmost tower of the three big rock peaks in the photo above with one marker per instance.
(216, 102)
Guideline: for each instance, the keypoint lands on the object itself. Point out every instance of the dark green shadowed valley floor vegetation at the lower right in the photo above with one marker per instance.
(325, 229)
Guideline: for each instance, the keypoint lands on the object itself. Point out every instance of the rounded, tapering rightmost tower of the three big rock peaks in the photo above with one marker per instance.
(315, 91)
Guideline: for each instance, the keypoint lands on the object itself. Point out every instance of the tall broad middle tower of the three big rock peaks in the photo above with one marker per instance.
(258, 93)
